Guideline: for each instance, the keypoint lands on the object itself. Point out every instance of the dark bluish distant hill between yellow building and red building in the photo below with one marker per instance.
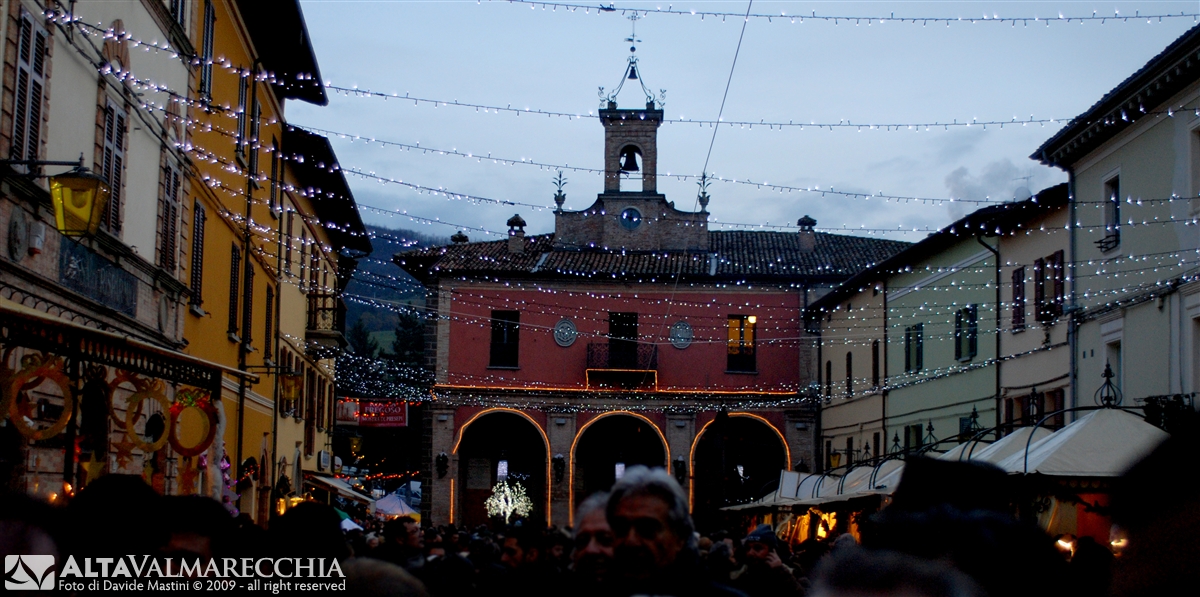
(379, 280)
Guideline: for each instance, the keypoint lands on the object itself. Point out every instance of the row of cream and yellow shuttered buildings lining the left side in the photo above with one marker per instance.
(170, 294)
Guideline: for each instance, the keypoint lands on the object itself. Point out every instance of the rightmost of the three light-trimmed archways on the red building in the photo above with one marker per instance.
(736, 459)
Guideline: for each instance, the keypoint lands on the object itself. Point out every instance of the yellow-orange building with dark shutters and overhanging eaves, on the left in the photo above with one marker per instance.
(272, 232)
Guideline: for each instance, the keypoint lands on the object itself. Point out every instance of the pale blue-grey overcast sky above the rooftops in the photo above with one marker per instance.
(509, 55)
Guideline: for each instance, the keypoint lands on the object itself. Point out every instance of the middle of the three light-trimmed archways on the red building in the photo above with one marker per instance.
(607, 447)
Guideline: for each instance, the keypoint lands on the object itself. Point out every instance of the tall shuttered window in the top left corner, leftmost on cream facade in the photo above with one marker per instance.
(27, 124)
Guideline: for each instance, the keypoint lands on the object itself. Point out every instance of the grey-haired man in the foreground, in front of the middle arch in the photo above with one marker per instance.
(655, 545)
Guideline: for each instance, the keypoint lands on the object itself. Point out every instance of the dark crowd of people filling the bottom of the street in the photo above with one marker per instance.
(949, 532)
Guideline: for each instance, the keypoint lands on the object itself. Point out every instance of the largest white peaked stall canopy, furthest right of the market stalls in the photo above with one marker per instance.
(1102, 444)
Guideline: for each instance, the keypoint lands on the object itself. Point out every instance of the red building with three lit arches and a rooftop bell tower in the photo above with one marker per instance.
(632, 335)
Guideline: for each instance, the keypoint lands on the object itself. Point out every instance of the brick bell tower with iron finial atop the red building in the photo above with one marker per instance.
(631, 148)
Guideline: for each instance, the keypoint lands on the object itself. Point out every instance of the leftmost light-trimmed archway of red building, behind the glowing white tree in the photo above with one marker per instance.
(494, 444)
